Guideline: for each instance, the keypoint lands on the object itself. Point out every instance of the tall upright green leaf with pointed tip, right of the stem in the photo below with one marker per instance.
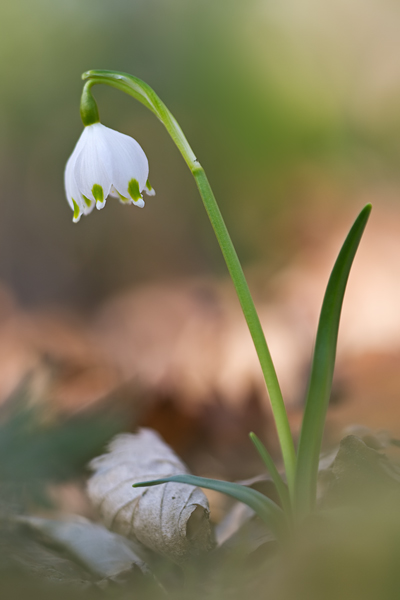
(322, 370)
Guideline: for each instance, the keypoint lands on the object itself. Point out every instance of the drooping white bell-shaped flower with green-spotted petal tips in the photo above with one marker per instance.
(105, 162)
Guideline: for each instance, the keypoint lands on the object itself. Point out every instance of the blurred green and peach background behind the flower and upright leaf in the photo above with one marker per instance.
(292, 107)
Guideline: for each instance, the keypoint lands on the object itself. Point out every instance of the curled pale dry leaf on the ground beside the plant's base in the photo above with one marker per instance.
(171, 519)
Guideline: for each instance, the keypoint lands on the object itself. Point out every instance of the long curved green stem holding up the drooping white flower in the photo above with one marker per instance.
(144, 94)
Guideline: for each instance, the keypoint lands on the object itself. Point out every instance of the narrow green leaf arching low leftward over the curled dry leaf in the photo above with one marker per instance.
(264, 507)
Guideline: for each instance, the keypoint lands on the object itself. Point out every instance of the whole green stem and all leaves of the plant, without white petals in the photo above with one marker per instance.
(298, 496)
